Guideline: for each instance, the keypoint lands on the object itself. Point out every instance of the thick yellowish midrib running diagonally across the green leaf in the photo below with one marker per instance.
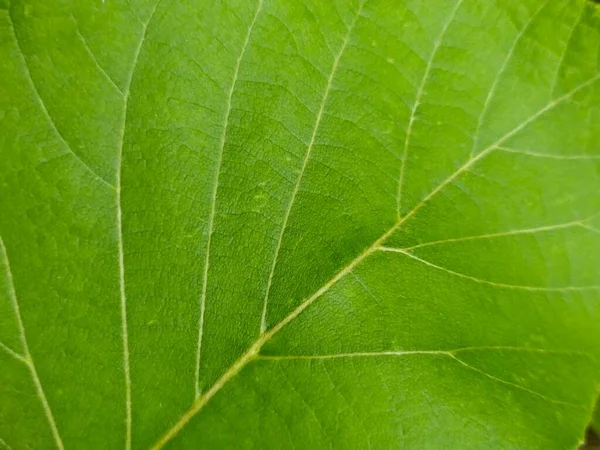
(253, 351)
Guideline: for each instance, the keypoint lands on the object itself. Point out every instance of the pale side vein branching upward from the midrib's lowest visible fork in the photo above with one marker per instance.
(211, 219)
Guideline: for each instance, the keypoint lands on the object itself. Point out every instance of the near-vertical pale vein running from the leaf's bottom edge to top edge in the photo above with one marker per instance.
(123, 297)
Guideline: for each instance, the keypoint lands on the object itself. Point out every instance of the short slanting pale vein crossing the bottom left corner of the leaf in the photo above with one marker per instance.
(28, 359)
